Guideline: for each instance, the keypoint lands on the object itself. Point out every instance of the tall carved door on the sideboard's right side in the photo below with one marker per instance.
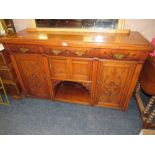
(113, 81)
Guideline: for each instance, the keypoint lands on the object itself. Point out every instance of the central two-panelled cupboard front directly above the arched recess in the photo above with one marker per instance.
(74, 69)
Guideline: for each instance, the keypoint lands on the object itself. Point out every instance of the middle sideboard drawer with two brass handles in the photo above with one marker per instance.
(69, 52)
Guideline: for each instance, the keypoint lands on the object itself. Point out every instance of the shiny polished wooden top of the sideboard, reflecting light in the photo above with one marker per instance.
(132, 41)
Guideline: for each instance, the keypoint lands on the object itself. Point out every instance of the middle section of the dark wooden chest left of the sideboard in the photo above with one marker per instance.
(7, 73)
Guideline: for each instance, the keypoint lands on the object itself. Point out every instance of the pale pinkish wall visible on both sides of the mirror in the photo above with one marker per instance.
(145, 26)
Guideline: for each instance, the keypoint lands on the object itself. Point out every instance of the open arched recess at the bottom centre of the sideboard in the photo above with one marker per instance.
(72, 92)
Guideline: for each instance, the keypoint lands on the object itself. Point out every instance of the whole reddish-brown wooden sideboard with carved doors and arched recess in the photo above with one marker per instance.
(97, 69)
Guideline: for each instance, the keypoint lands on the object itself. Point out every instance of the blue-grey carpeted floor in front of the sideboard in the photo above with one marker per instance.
(38, 116)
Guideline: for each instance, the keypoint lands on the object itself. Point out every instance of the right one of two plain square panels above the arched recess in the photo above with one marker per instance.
(80, 69)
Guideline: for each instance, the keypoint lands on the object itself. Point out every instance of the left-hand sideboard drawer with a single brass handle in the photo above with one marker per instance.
(21, 48)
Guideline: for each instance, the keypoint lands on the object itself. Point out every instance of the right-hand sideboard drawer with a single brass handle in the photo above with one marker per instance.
(119, 54)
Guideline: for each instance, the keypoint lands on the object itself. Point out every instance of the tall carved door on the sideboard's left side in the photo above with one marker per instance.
(31, 72)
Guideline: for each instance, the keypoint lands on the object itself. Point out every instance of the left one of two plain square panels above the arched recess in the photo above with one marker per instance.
(59, 68)
